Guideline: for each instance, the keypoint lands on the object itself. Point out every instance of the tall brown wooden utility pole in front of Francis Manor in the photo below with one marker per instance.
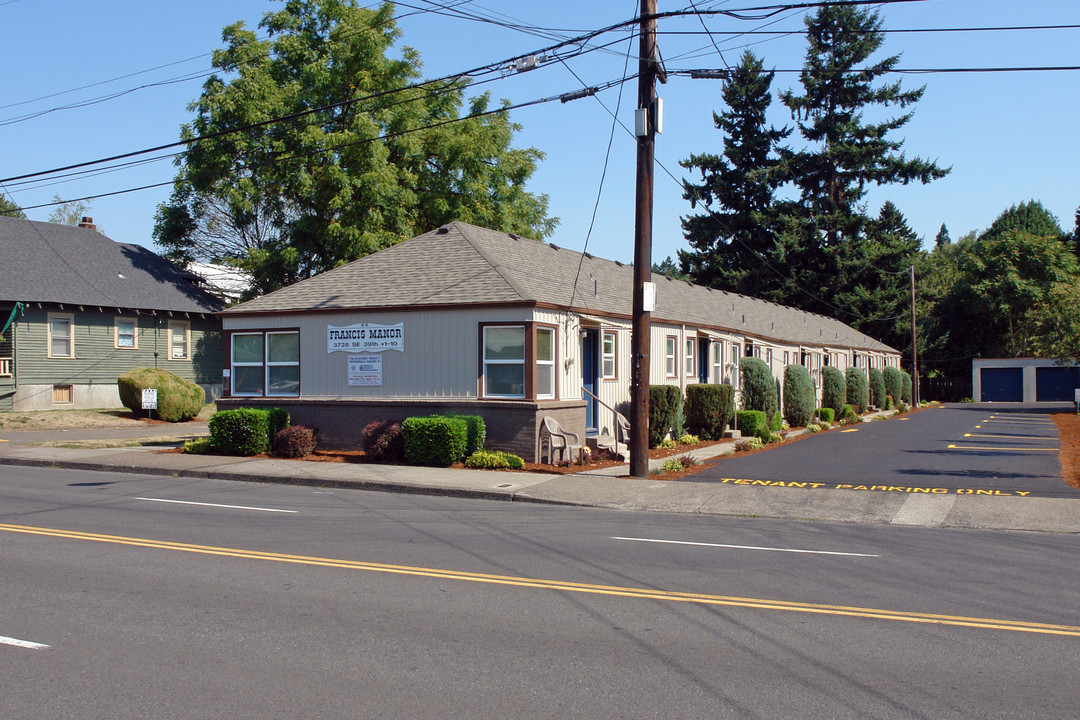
(643, 246)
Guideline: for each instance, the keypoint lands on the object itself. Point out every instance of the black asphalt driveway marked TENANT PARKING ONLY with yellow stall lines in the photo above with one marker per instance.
(982, 449)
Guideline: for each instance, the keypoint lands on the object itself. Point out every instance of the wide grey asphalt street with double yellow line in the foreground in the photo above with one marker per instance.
(180, 599)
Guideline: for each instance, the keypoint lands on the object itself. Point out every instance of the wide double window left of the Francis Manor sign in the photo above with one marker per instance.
(266, 364)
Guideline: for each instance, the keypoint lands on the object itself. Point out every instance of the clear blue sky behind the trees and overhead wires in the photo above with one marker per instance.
(1009, 137)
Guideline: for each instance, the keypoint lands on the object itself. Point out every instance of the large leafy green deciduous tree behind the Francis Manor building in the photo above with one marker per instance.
(315, 147)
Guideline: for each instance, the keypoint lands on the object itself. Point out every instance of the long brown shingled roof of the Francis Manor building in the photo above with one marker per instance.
(462, 264)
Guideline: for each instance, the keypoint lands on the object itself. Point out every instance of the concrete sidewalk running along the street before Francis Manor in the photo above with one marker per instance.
(604, 488)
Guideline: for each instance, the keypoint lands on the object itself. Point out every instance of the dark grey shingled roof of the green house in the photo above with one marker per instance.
(46, 263)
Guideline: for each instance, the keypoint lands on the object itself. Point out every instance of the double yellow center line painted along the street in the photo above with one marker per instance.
(616, 591)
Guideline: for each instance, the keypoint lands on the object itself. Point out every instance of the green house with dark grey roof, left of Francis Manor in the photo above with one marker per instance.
(79, 309)
